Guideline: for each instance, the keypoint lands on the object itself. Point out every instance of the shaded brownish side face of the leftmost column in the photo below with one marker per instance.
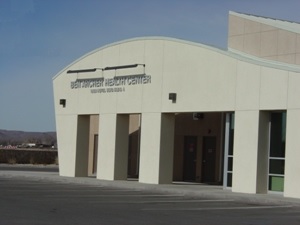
(82, 146)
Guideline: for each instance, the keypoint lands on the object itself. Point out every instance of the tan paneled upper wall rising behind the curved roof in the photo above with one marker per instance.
(262, 40)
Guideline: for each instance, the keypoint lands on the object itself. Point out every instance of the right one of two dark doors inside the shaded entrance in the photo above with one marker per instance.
(209, 159)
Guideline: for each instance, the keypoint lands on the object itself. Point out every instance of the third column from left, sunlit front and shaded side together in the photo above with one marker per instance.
(157, 148)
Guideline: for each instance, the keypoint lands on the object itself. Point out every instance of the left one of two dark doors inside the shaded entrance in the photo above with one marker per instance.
(190, 154)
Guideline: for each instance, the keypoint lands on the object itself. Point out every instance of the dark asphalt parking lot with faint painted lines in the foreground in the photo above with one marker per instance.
(25, 200)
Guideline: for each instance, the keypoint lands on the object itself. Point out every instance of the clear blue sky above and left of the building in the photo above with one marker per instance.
(38, 38)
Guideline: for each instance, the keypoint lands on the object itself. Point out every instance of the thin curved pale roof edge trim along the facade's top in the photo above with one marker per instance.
(231, 53)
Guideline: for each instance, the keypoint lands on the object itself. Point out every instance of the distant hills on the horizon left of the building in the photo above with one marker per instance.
(12, 137)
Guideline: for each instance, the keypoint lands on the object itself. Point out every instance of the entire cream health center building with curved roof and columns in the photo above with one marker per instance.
(163, 110)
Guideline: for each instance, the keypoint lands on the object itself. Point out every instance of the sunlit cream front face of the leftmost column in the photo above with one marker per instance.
(66, 128)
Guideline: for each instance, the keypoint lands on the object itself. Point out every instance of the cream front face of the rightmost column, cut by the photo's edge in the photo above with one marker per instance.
(292, 155)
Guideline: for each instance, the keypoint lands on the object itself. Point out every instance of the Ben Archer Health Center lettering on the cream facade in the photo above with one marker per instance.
(108, 85)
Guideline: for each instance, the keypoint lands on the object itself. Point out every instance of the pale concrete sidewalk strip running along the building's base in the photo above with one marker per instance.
(182, 188)
